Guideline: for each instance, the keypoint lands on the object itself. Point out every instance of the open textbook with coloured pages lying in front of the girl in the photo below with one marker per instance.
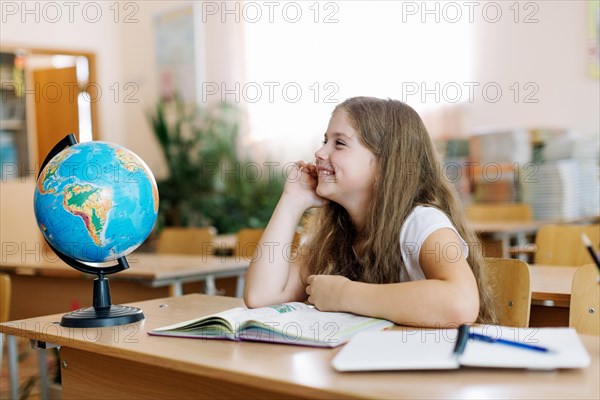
(290, 323)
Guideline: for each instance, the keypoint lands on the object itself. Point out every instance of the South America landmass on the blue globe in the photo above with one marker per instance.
(91, 204)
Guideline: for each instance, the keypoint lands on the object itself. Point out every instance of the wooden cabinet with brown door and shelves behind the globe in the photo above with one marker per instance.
(45, 96)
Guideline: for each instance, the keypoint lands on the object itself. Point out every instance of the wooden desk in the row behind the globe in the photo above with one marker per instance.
(36, 278)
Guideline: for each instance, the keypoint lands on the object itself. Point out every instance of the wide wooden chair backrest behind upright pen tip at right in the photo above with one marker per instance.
(562, 244)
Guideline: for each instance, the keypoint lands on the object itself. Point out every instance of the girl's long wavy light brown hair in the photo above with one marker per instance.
(409, 175)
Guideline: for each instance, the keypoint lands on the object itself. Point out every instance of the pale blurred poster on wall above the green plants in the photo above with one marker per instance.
(175, 54)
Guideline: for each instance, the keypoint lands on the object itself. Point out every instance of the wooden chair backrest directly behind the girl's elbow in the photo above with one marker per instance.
(509, 279)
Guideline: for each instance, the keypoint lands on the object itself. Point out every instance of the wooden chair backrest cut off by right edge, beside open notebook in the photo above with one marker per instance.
(584, 310)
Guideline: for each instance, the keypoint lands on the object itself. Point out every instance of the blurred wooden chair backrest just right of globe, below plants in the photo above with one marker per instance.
(187, 241)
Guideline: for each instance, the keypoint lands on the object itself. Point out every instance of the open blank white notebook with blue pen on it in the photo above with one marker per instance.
(436, 349)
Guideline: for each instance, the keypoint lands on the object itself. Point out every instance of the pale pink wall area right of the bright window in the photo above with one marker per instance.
(551, 56)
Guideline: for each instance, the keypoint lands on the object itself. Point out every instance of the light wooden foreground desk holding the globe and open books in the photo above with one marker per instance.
(124, 362)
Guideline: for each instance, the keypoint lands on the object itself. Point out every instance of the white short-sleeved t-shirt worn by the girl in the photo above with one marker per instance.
(419, 224)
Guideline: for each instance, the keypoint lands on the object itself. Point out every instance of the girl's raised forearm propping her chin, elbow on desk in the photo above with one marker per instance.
(269, 270)
